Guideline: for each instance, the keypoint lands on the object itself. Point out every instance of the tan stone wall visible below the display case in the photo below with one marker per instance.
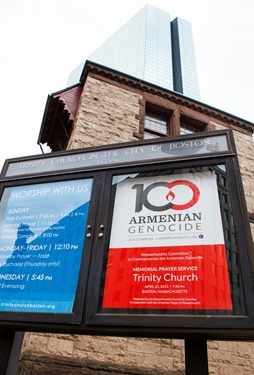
(74, 354)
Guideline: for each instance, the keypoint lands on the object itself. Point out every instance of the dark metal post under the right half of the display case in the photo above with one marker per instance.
(196, 359)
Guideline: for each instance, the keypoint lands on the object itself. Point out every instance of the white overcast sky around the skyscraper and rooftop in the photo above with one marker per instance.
(42, 41)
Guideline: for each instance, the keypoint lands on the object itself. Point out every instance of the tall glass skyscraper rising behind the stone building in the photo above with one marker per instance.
(153, 49)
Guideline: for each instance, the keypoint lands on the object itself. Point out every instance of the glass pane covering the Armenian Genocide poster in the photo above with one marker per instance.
(172, 247)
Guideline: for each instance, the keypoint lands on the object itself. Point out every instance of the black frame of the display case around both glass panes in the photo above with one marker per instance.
(93, 321)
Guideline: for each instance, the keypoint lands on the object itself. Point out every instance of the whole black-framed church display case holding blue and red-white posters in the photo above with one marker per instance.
(144, 239)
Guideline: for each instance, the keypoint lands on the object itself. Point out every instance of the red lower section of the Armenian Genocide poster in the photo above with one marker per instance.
(191, 277)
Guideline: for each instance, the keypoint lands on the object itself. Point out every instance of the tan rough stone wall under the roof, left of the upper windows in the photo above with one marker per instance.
(107, 114)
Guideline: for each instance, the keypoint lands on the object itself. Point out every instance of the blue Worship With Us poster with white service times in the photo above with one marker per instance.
(42, 231)
